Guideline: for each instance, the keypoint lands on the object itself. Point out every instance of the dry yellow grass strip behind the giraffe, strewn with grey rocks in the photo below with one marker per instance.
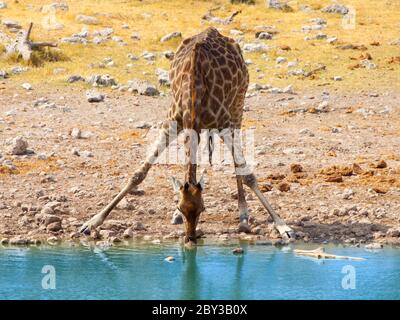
(372, 25)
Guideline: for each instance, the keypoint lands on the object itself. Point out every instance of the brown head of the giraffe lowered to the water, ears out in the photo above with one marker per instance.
(190, 204)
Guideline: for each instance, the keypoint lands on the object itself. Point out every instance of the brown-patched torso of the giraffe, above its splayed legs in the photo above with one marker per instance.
(208, 80)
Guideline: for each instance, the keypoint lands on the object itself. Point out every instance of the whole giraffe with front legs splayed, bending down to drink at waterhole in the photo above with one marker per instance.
(209, 80)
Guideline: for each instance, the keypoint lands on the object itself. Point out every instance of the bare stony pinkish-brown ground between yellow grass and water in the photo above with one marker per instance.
(327, 160)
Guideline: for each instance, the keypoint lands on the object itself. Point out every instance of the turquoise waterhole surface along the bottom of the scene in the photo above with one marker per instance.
(209, 272)
